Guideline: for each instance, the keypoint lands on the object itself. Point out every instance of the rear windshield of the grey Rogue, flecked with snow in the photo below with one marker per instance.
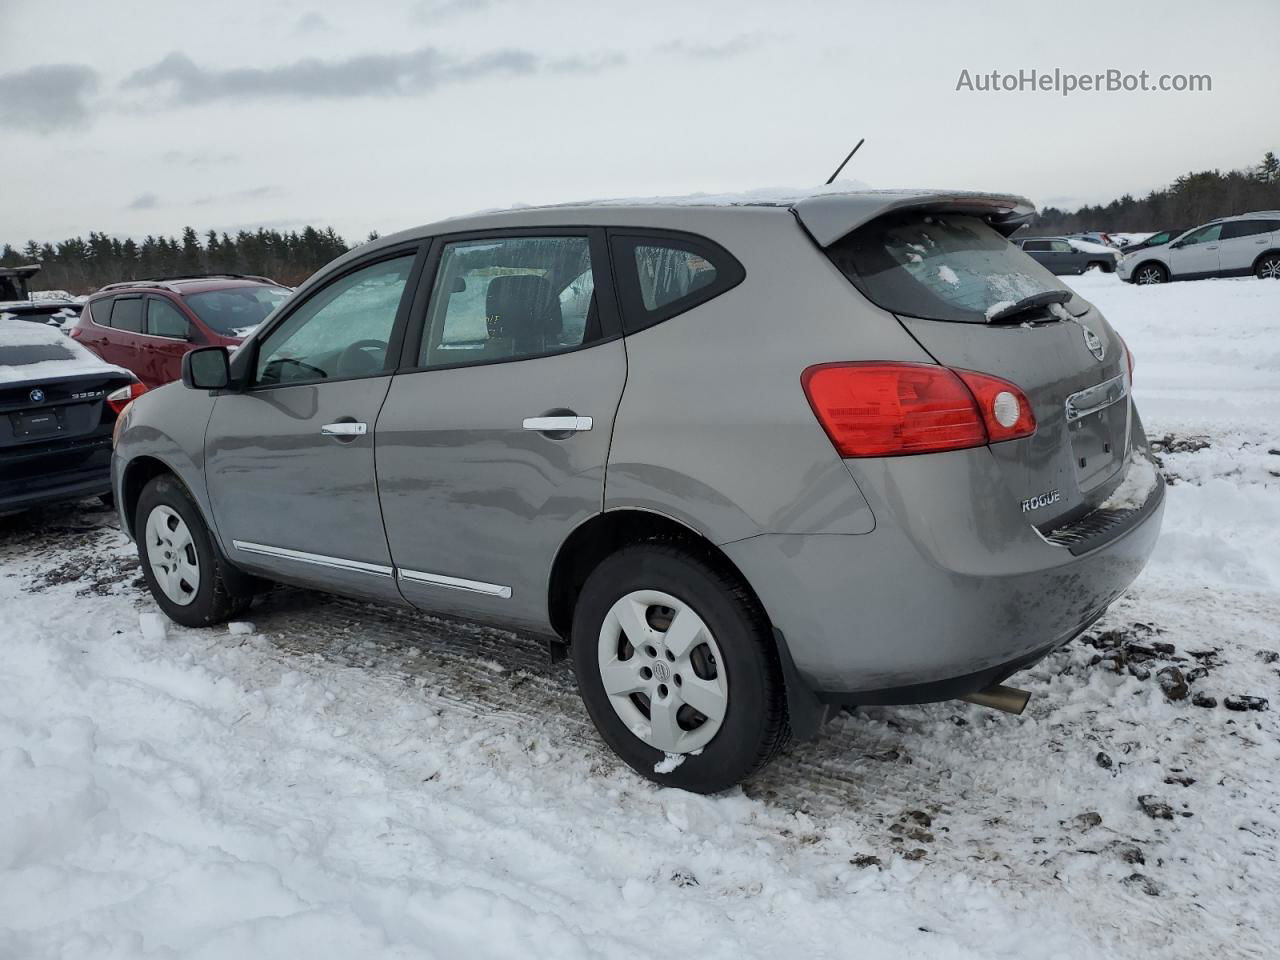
(941, 268)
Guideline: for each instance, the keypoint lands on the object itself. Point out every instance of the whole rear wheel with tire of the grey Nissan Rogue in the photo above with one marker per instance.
(678, 669)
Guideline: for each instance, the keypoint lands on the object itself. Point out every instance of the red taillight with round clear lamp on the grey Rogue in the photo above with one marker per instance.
(886, 410)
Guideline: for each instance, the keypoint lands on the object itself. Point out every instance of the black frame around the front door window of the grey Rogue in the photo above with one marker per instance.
(245, 362)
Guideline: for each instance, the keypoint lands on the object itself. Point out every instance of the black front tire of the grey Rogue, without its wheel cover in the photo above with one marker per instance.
(214, 601)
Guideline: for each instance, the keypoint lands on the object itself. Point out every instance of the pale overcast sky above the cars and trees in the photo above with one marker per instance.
(141, 118)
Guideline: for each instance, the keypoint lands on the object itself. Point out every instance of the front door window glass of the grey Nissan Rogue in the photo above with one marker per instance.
(341, 332)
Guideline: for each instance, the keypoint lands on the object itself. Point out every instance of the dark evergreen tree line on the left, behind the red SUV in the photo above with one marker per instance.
(83, 266)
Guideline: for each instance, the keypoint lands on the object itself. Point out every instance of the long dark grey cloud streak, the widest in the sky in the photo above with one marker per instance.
(368, 75)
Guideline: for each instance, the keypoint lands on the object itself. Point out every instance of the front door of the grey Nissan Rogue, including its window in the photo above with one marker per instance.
(291, 459)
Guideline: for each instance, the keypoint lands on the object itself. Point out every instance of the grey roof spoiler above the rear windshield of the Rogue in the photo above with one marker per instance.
(830, 217)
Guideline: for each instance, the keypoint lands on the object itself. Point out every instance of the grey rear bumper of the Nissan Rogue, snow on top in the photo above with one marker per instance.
(884, 618)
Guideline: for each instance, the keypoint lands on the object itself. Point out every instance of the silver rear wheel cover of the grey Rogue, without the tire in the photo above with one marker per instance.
(664, 671)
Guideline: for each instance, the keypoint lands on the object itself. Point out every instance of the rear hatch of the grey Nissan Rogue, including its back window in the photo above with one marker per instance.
(956, 284)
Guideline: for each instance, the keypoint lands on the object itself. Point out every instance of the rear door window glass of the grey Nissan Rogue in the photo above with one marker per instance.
(510, 298)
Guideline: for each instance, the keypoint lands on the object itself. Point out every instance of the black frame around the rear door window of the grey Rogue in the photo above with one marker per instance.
(606, 298)
